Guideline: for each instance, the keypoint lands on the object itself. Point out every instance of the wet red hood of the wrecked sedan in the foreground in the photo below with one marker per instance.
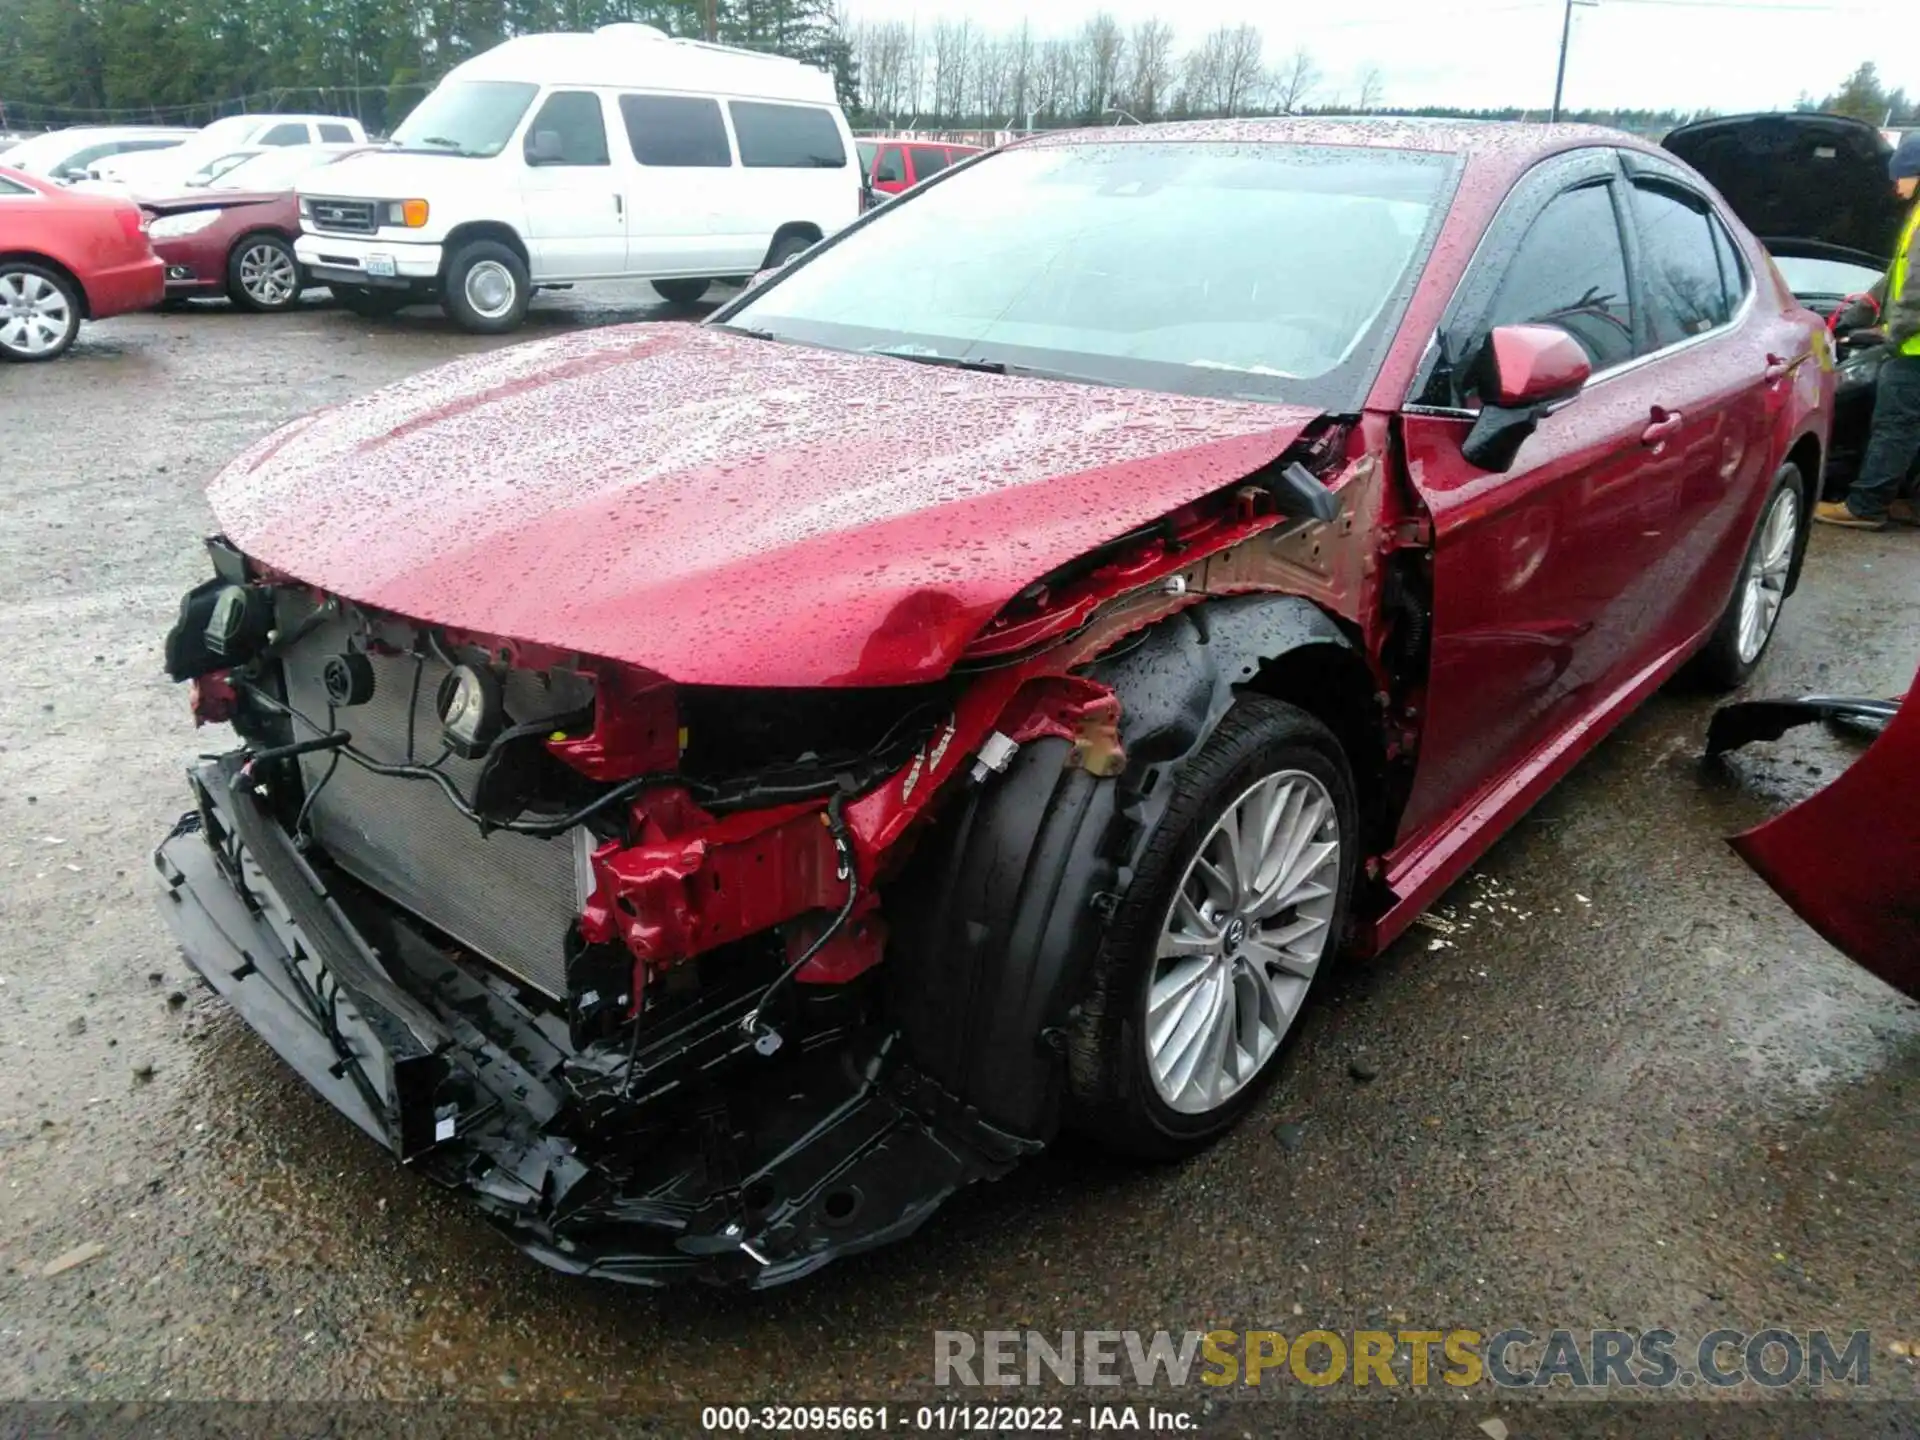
(723, 510)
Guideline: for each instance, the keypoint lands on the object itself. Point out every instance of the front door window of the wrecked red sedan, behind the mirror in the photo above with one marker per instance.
(1572, 274)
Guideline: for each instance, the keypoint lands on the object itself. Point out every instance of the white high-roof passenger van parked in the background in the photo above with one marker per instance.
(564, 158)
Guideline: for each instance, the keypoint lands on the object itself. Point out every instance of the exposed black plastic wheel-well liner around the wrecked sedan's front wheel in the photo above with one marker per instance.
(1003, 909)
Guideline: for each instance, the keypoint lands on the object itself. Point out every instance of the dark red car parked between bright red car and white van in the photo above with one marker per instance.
(235, 237)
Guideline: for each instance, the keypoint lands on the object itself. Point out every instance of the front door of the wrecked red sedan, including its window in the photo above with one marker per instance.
(1539, 573)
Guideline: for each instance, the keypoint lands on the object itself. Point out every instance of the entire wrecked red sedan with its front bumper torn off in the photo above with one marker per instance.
(711, 792)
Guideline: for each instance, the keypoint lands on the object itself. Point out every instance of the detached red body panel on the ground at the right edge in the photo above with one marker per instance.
(1848, 859)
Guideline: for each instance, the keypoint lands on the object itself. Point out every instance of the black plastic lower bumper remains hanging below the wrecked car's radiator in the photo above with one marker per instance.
(667, 1155)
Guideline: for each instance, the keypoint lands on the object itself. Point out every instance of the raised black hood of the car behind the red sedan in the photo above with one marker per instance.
(1804, 180)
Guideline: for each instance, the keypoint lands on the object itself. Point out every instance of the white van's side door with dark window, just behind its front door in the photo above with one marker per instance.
(684, 189)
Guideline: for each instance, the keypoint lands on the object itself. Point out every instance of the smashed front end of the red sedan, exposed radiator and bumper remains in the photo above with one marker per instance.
(531, 923)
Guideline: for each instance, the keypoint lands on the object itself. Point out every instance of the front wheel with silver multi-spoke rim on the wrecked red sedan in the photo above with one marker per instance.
(1237, 903)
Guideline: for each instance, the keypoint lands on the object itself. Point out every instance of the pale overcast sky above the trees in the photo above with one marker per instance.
(1687, 55)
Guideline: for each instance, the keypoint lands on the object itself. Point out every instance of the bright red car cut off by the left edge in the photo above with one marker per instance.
(68, 258)
